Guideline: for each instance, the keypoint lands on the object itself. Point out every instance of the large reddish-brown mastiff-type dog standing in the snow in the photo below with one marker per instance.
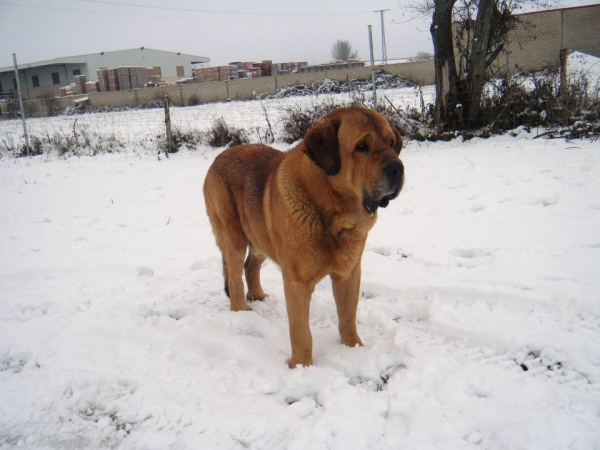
(308, 209)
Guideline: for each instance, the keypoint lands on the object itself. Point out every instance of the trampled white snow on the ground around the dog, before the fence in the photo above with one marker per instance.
(480, 310)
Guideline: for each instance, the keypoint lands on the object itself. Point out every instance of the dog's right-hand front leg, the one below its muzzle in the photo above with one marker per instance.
(346, 290)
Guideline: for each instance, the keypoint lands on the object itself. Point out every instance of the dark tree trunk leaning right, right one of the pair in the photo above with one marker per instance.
(478, 60)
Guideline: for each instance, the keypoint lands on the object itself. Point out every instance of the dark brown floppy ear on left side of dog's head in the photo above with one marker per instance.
(321, 146)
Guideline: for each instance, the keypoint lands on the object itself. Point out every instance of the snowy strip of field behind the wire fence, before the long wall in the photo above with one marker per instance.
(145, 129)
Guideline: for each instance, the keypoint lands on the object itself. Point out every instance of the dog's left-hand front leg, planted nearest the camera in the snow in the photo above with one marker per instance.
(297, 300)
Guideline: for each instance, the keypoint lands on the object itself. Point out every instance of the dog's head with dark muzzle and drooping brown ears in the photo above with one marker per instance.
(359, 149)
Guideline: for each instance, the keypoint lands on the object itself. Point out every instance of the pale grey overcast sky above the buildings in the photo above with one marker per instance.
(224, 30)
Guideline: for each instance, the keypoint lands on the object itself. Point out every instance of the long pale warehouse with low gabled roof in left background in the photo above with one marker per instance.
(37, 78)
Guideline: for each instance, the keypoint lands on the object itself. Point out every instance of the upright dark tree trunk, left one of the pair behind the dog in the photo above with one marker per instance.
(446, 80)
